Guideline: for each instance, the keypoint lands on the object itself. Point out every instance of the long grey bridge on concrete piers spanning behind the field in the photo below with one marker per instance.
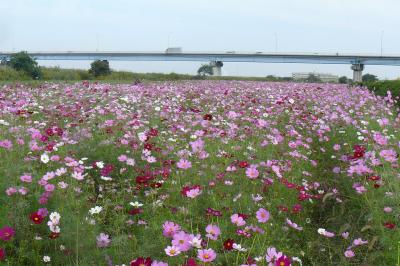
(356, 61)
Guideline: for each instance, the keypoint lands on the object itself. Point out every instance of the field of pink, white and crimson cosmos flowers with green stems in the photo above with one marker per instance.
(198, 173)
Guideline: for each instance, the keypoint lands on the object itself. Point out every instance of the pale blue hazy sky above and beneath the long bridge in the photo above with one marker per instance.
(343, 26)
